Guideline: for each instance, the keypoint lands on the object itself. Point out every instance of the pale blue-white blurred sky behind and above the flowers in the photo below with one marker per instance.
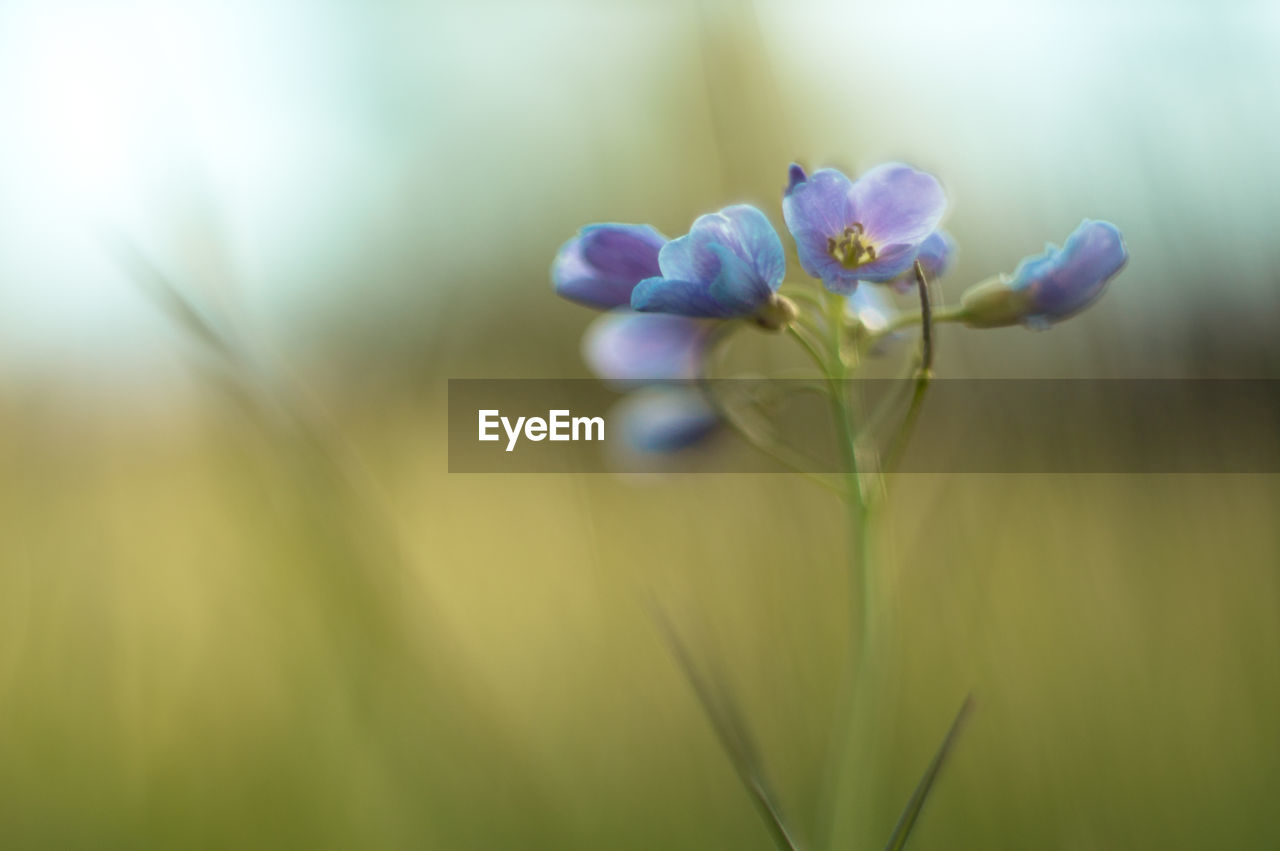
(308, 159)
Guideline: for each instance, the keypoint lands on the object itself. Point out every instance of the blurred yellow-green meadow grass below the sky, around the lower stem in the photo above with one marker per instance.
(211, 640)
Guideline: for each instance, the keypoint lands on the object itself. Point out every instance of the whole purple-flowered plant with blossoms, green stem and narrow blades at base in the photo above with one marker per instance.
(673, 304)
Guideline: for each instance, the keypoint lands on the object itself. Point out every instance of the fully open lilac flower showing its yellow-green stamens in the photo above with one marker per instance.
(868, 230)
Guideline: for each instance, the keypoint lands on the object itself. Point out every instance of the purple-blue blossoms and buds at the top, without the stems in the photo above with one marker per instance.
(883, 228)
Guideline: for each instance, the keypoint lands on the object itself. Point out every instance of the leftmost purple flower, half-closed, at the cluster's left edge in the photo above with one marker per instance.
(604, 263)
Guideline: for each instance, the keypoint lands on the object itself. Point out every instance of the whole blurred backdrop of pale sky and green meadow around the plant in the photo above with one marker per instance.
(244, 605)
